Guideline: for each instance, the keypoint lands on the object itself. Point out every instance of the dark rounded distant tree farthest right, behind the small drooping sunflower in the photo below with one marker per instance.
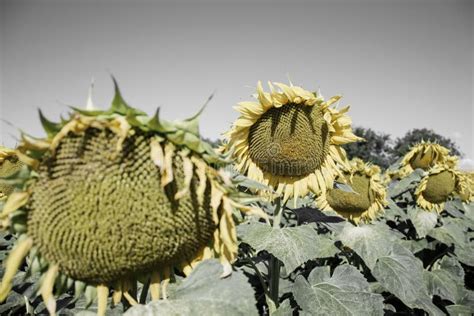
(402, 145)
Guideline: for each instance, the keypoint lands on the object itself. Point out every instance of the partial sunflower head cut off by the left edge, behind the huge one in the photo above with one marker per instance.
(10, 164)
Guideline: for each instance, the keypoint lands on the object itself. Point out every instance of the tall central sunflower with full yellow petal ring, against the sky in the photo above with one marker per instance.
(290, 139)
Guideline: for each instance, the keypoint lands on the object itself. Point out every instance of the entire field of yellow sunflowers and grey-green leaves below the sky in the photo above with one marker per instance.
(115, 212)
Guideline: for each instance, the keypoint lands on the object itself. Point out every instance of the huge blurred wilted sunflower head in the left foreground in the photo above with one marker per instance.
(115, 197)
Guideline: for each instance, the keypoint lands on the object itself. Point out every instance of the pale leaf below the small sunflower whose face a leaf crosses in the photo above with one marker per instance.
(370, 242)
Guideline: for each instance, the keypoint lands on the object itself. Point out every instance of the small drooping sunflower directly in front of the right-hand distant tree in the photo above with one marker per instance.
(423, 156)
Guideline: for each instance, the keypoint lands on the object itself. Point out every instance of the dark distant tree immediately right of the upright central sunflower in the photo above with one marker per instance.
(375, 149)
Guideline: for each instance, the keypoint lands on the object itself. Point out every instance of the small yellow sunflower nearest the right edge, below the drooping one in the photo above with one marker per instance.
(439, 184)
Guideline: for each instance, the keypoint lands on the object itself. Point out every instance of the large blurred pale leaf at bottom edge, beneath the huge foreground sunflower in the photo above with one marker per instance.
(204, 292)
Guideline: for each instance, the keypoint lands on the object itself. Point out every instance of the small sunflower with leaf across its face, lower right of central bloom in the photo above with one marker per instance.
(368, 198)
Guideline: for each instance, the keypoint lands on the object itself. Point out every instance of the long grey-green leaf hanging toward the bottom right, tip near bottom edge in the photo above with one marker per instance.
(400, 273)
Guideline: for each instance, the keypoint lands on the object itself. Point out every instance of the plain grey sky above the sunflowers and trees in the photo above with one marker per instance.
(400, 64)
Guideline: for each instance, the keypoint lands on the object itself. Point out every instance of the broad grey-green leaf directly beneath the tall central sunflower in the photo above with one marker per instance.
(291, 245)
